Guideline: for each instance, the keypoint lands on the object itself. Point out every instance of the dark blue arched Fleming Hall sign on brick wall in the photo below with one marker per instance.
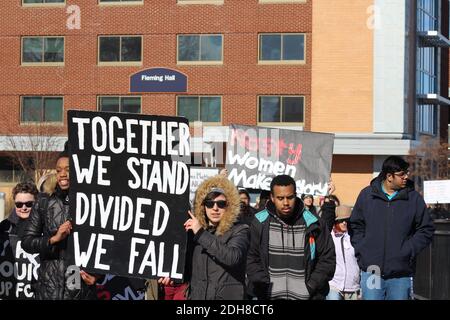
(158, 80)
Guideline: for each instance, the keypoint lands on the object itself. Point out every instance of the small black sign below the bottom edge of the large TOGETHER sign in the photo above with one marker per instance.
(121, 288)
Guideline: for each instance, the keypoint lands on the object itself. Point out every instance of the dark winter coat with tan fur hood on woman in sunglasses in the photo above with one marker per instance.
(216, 268)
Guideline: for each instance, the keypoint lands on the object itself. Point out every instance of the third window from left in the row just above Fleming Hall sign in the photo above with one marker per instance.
(200, 48)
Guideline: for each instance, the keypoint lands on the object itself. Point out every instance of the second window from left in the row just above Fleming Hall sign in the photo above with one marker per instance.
(120, 50)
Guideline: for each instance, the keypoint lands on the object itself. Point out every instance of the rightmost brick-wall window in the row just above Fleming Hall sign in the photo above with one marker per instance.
(282, 48)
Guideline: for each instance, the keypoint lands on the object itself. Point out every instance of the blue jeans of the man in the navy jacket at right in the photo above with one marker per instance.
(374, 287)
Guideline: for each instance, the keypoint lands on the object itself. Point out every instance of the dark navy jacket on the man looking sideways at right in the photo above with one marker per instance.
(389, 234)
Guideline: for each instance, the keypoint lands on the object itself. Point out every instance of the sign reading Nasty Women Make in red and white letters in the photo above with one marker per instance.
(255, 155)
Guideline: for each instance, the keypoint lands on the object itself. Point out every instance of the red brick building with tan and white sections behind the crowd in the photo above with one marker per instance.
(346, 67)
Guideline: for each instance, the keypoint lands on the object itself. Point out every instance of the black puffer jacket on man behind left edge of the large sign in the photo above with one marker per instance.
(39, 229)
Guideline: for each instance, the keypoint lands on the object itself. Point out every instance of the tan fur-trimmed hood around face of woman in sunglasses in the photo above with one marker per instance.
(232, 196)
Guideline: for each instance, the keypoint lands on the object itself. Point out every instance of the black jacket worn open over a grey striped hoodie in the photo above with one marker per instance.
(320, 258)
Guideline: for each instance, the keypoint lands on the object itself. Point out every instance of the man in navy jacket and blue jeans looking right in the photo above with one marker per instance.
(389, 226)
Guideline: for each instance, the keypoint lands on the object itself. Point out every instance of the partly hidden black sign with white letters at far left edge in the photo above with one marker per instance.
(18, 269)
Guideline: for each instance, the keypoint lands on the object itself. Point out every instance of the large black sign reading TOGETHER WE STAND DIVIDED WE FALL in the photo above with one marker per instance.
(129, 193)
